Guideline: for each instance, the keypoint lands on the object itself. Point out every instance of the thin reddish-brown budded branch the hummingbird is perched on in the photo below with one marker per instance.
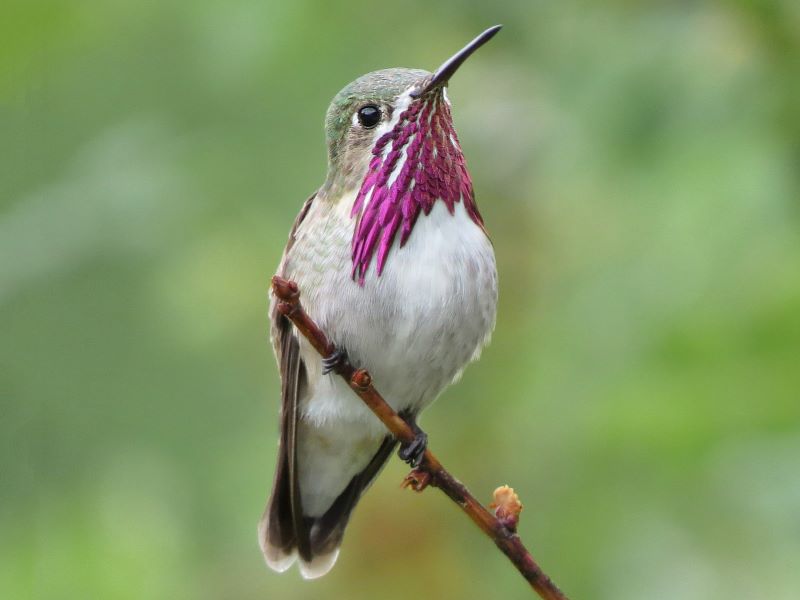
(501, 530)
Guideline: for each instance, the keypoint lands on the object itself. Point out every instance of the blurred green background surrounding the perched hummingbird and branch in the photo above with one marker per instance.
(637, 166)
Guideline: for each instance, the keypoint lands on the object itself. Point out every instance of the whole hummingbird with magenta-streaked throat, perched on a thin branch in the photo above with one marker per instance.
(395, 265)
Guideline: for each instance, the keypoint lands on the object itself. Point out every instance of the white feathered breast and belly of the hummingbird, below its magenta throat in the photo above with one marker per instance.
(414, 328)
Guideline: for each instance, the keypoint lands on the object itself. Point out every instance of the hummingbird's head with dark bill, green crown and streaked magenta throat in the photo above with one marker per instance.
(390, 135)
